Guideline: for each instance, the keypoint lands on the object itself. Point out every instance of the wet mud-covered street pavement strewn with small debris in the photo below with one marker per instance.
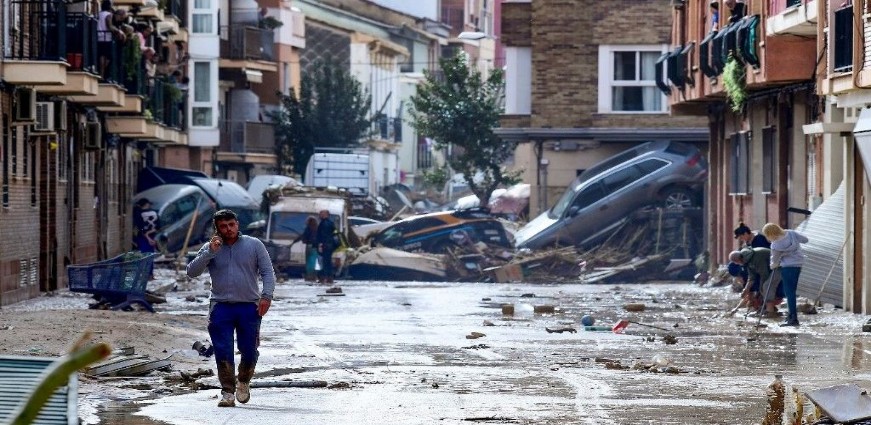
(397, 353)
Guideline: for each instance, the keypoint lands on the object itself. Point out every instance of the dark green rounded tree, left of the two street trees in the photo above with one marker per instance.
(331, 110)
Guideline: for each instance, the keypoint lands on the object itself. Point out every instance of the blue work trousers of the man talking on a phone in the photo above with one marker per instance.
(241, 318)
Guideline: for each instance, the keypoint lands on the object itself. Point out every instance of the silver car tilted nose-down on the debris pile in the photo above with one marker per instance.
(662, 174)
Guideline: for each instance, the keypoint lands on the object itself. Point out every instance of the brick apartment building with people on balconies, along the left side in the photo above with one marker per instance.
(75, 130)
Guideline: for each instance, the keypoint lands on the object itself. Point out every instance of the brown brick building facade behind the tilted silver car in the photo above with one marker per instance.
(580, 87)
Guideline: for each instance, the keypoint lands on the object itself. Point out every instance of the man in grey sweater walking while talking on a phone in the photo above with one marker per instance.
(236, 304)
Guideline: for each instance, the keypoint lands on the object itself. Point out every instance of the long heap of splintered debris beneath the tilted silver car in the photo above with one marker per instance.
(655, 244)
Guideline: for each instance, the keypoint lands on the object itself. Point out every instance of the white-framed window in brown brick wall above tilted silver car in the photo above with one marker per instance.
(627, 79)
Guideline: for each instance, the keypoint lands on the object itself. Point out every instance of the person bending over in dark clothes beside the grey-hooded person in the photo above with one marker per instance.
(757, 262)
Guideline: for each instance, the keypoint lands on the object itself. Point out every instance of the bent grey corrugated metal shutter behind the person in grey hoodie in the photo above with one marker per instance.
(824, 263)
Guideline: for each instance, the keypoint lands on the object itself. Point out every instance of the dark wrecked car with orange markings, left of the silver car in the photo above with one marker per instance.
(437, 232)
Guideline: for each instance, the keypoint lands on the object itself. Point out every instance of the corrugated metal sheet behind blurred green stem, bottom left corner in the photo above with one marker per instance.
(19, 375)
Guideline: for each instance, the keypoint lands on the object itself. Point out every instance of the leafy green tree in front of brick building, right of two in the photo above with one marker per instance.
(459, 108)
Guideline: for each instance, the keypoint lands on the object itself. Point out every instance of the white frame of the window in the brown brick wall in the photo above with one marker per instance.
(606, 75)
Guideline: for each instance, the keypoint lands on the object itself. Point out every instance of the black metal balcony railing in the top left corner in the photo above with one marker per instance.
(37, 30)
